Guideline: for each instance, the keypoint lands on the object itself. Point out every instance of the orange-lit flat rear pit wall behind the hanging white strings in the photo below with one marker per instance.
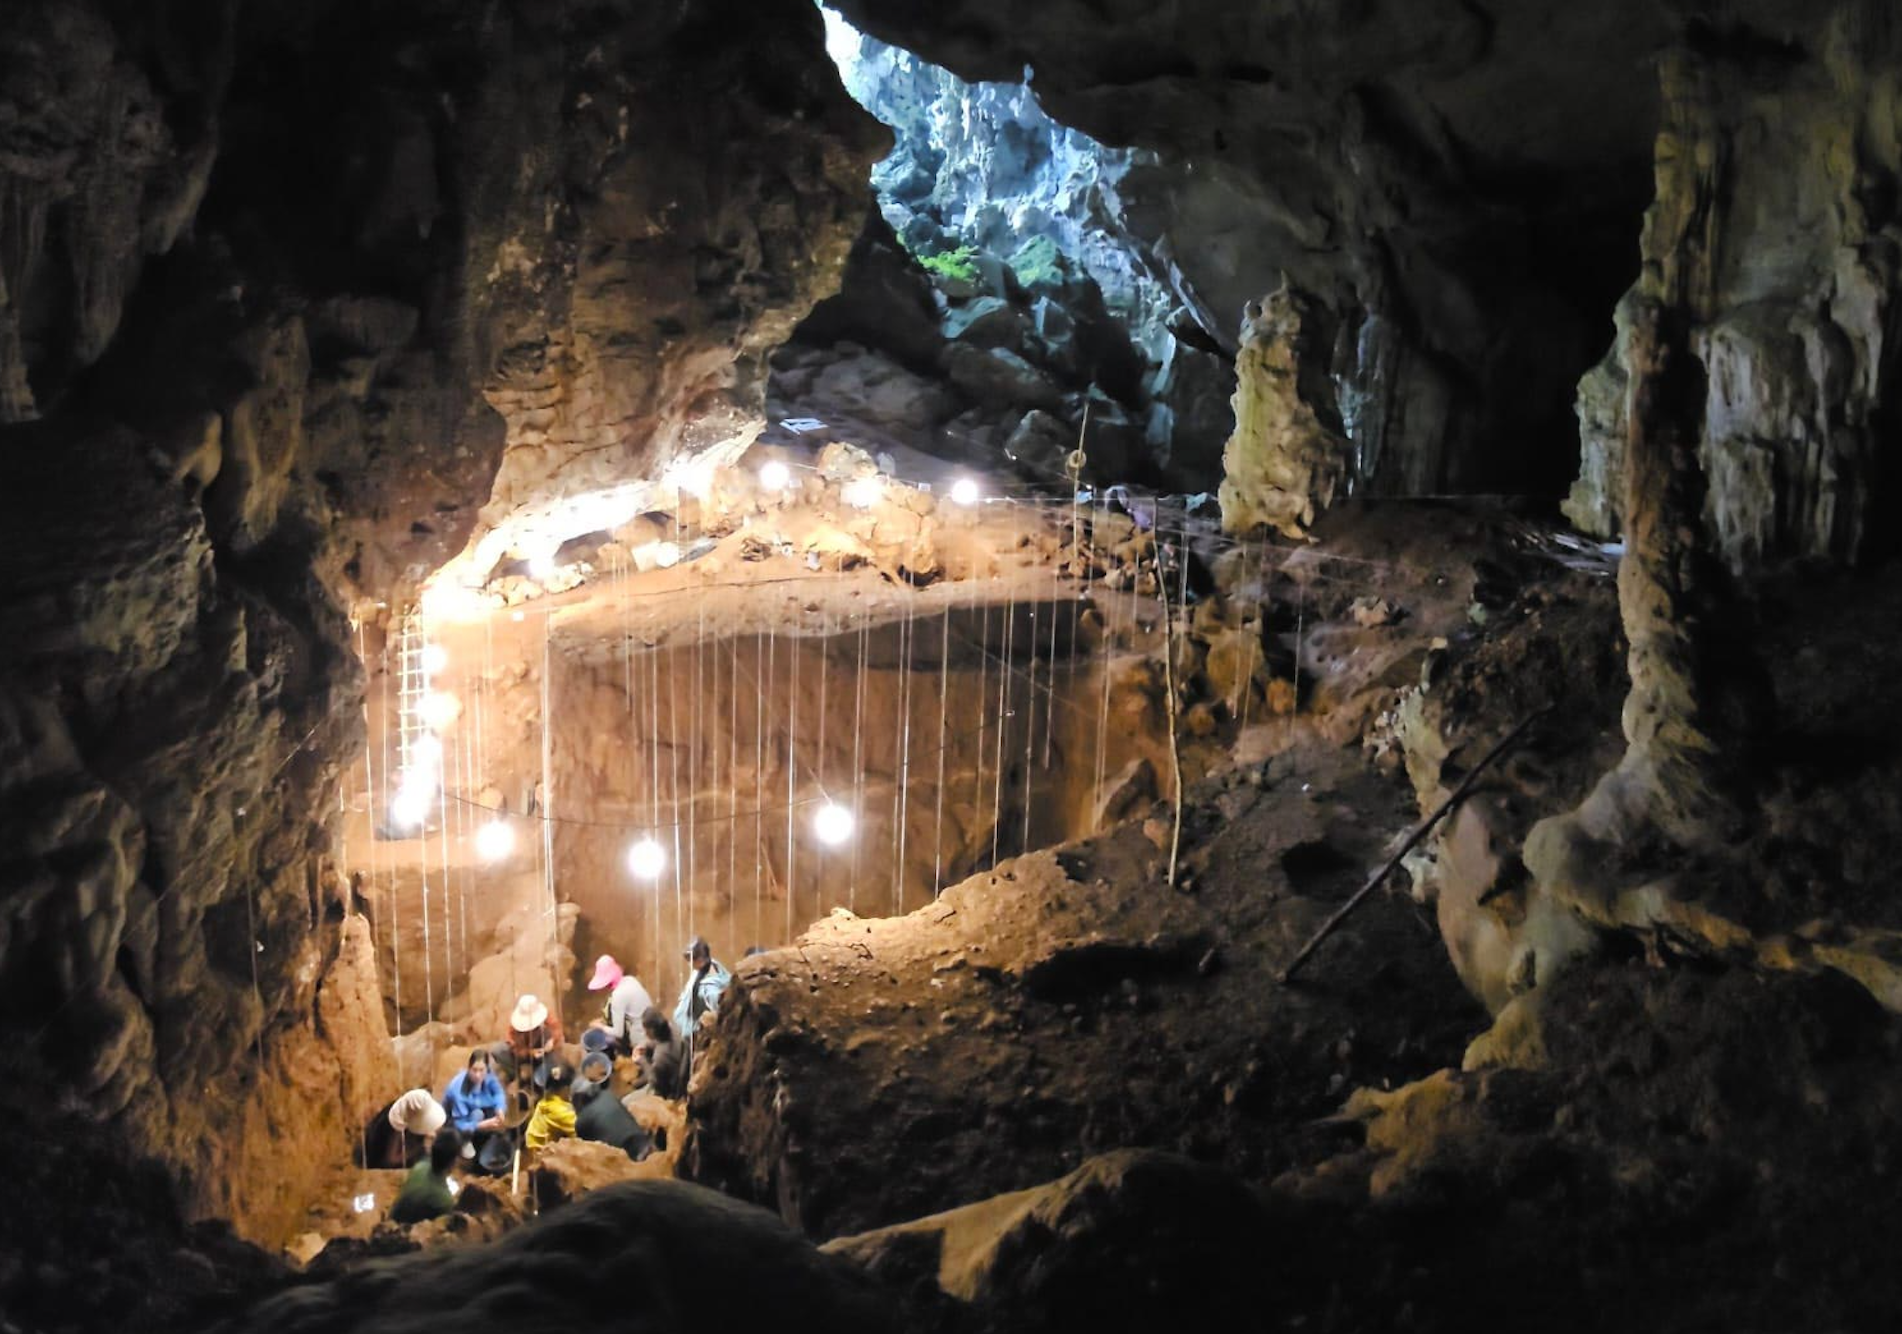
(691, 743)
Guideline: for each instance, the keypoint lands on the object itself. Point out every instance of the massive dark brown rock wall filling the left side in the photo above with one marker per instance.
(281, 288)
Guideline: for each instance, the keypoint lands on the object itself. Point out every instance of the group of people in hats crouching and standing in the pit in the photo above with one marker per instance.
(570, 1101)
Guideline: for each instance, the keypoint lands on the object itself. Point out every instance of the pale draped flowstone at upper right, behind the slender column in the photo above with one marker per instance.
(1776, 237)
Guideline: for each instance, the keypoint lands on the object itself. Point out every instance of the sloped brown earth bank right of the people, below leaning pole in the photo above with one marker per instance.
(1074, 1004)
